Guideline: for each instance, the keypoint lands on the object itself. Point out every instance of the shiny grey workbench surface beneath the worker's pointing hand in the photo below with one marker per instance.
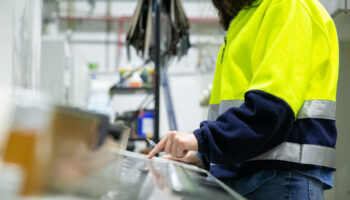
(132, 176)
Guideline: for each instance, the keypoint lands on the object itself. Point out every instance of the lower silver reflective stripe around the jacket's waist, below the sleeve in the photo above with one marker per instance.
(303, 154)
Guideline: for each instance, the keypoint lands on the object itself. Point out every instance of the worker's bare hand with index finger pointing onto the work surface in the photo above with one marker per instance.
(176, 144)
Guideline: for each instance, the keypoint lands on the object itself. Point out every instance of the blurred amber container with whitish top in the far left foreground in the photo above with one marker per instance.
(27, 144)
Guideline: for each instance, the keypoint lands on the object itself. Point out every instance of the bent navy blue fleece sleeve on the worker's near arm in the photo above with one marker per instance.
(261, 123)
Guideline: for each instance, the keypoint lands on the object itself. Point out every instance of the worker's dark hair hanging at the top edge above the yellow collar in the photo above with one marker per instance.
(228, 9)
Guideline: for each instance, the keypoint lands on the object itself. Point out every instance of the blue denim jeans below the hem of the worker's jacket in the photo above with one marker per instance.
(278, 185)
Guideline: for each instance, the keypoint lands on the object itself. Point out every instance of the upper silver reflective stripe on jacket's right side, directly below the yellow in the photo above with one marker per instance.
(323, 109)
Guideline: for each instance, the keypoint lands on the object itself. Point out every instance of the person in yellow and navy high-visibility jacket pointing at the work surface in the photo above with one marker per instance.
(271, 131)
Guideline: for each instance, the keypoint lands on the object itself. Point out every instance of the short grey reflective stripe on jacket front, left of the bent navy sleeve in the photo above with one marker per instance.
(217, 109)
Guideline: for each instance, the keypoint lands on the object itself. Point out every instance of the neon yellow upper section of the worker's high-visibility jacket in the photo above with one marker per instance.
(287, 48)
